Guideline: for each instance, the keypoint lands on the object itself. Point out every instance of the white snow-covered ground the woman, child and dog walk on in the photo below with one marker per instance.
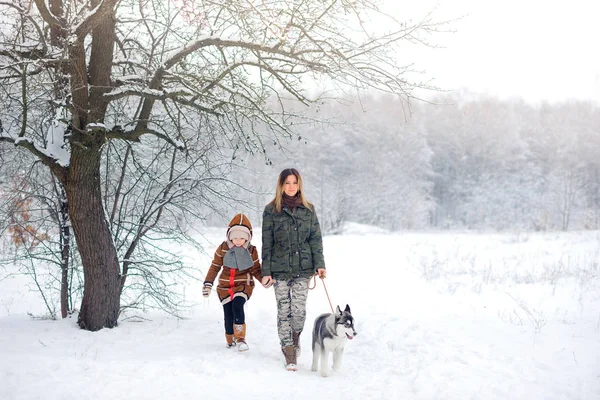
(441, 315)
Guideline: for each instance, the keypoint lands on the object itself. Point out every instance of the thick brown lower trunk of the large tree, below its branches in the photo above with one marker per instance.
(100, 303)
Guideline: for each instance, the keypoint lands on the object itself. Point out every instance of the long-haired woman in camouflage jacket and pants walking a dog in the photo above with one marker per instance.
(292, 251)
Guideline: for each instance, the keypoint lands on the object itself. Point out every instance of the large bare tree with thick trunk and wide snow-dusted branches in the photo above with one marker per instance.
(108, 70)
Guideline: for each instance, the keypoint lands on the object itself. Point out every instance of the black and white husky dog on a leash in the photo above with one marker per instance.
(329, 336)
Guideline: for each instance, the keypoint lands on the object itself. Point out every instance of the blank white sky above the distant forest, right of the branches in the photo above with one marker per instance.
(535, 49)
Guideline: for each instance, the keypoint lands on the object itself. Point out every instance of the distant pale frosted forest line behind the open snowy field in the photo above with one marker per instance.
(462, 161)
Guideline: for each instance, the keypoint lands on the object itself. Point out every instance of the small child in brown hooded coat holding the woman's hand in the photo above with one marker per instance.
(240, 263)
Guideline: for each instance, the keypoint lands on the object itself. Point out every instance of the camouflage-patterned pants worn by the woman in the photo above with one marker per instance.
(291, 307)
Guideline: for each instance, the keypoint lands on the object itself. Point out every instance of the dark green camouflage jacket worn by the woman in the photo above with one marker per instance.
(291, 243)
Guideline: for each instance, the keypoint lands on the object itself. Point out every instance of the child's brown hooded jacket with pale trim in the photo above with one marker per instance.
(233, 282)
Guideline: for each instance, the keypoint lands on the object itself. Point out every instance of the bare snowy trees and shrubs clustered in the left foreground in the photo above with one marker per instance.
(121, 122)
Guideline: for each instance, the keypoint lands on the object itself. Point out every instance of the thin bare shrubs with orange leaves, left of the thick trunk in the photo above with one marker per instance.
(36, 221)
